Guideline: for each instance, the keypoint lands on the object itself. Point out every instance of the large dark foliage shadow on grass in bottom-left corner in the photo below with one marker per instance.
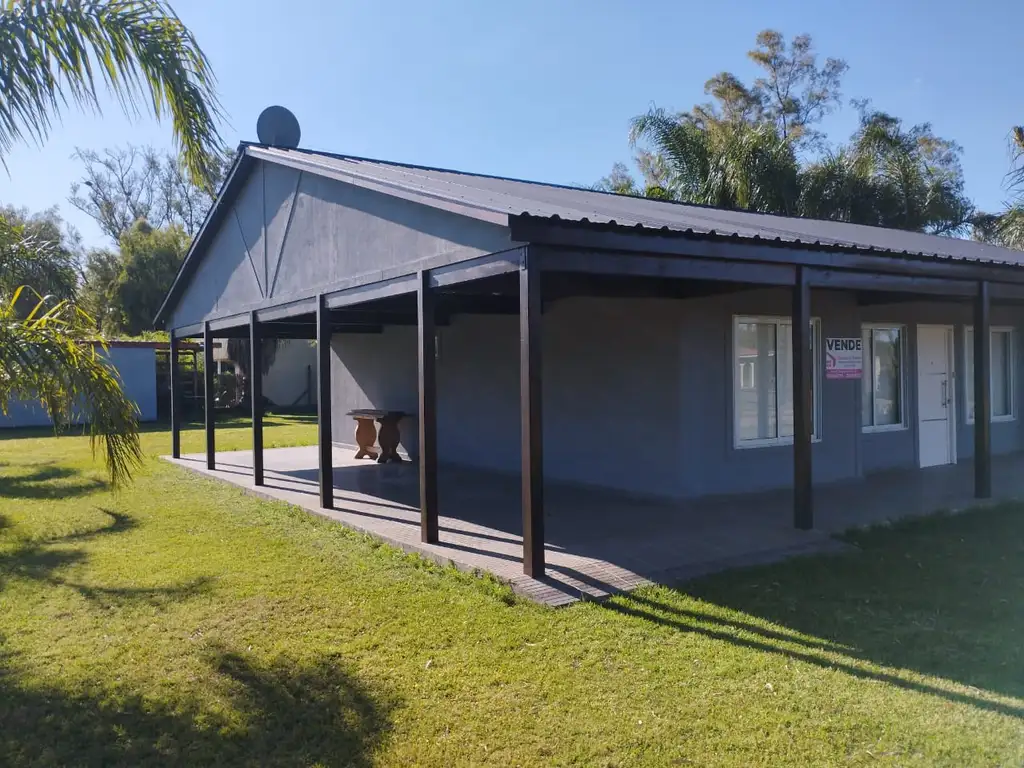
(282, 713)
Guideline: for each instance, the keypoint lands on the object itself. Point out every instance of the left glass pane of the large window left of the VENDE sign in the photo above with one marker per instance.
(756, 348)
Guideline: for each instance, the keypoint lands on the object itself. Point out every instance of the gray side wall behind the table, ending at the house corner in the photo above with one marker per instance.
(608, 420)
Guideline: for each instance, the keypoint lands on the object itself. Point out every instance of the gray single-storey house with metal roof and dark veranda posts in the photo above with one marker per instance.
(652, 348)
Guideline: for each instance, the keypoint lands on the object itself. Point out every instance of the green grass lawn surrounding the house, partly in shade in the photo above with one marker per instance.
(183, 622)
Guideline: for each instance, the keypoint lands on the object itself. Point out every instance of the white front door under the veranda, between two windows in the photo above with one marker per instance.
(935, 396)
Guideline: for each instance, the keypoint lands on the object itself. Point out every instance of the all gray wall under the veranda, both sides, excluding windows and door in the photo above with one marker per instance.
(638, 395)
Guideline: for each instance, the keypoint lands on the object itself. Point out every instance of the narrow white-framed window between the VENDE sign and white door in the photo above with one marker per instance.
(884, 382)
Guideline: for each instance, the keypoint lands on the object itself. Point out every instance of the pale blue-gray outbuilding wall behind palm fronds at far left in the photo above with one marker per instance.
(136, 363)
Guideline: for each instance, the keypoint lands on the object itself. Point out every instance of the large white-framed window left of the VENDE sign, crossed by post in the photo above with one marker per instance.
(762, 380)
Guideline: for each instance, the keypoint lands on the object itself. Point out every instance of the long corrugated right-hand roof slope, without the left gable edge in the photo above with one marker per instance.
(492, 198)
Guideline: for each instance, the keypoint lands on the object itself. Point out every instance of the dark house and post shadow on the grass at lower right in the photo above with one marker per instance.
(937, 596)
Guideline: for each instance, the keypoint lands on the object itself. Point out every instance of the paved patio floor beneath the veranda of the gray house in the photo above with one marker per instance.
(598, 542)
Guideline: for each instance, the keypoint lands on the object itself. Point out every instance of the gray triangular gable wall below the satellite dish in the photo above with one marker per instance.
(291, 235)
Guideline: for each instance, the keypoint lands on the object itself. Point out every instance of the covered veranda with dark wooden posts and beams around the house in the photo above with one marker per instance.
(567, 260)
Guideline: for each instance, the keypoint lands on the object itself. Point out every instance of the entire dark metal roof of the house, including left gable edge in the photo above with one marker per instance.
(508, 202)
